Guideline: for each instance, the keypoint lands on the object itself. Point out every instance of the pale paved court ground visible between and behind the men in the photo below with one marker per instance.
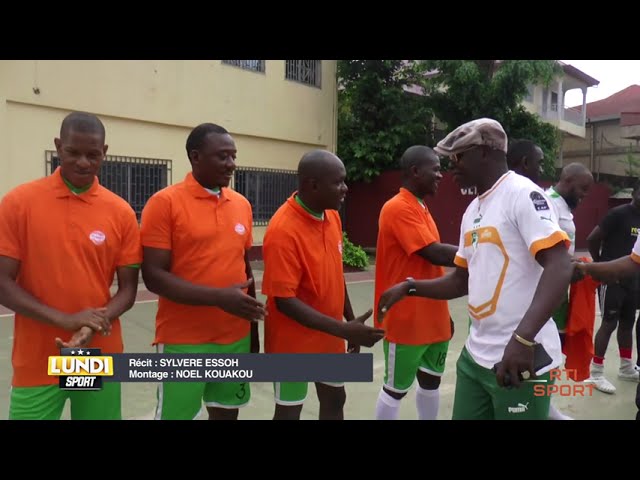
(139, 398)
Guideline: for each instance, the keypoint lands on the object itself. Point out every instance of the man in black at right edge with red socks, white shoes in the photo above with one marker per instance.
(612, 239)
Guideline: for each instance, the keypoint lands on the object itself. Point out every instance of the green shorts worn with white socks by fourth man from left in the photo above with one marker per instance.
(402, 362)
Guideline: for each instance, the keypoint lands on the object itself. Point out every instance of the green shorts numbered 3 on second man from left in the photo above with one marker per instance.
(183, 400)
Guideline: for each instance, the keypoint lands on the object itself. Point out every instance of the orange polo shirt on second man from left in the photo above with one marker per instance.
(208, 237)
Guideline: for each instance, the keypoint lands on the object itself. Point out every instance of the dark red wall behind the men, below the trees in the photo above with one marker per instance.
(365, 200)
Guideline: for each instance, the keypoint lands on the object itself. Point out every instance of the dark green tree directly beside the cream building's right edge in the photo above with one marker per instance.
(377, 117)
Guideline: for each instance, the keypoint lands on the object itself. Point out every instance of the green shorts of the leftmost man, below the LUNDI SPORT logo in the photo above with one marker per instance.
(47, 403)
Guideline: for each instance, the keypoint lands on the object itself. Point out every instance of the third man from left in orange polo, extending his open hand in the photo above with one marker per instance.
(304, 282)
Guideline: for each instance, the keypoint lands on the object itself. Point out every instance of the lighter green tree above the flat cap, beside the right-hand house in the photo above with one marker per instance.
(463, 90)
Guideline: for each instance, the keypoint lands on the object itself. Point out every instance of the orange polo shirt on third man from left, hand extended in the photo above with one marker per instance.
(302, 259)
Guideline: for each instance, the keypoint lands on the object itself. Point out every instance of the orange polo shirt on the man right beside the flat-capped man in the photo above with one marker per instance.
(406, 226)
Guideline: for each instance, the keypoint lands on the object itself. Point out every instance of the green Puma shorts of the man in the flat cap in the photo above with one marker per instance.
(478, 396)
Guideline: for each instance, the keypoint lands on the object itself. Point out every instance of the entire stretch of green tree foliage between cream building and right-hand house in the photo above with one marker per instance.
(378, 118)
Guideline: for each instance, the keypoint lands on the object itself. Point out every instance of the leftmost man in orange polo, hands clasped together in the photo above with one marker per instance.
(62, 238)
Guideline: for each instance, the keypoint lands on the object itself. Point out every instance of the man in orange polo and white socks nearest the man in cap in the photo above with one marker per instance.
(418, 330)
